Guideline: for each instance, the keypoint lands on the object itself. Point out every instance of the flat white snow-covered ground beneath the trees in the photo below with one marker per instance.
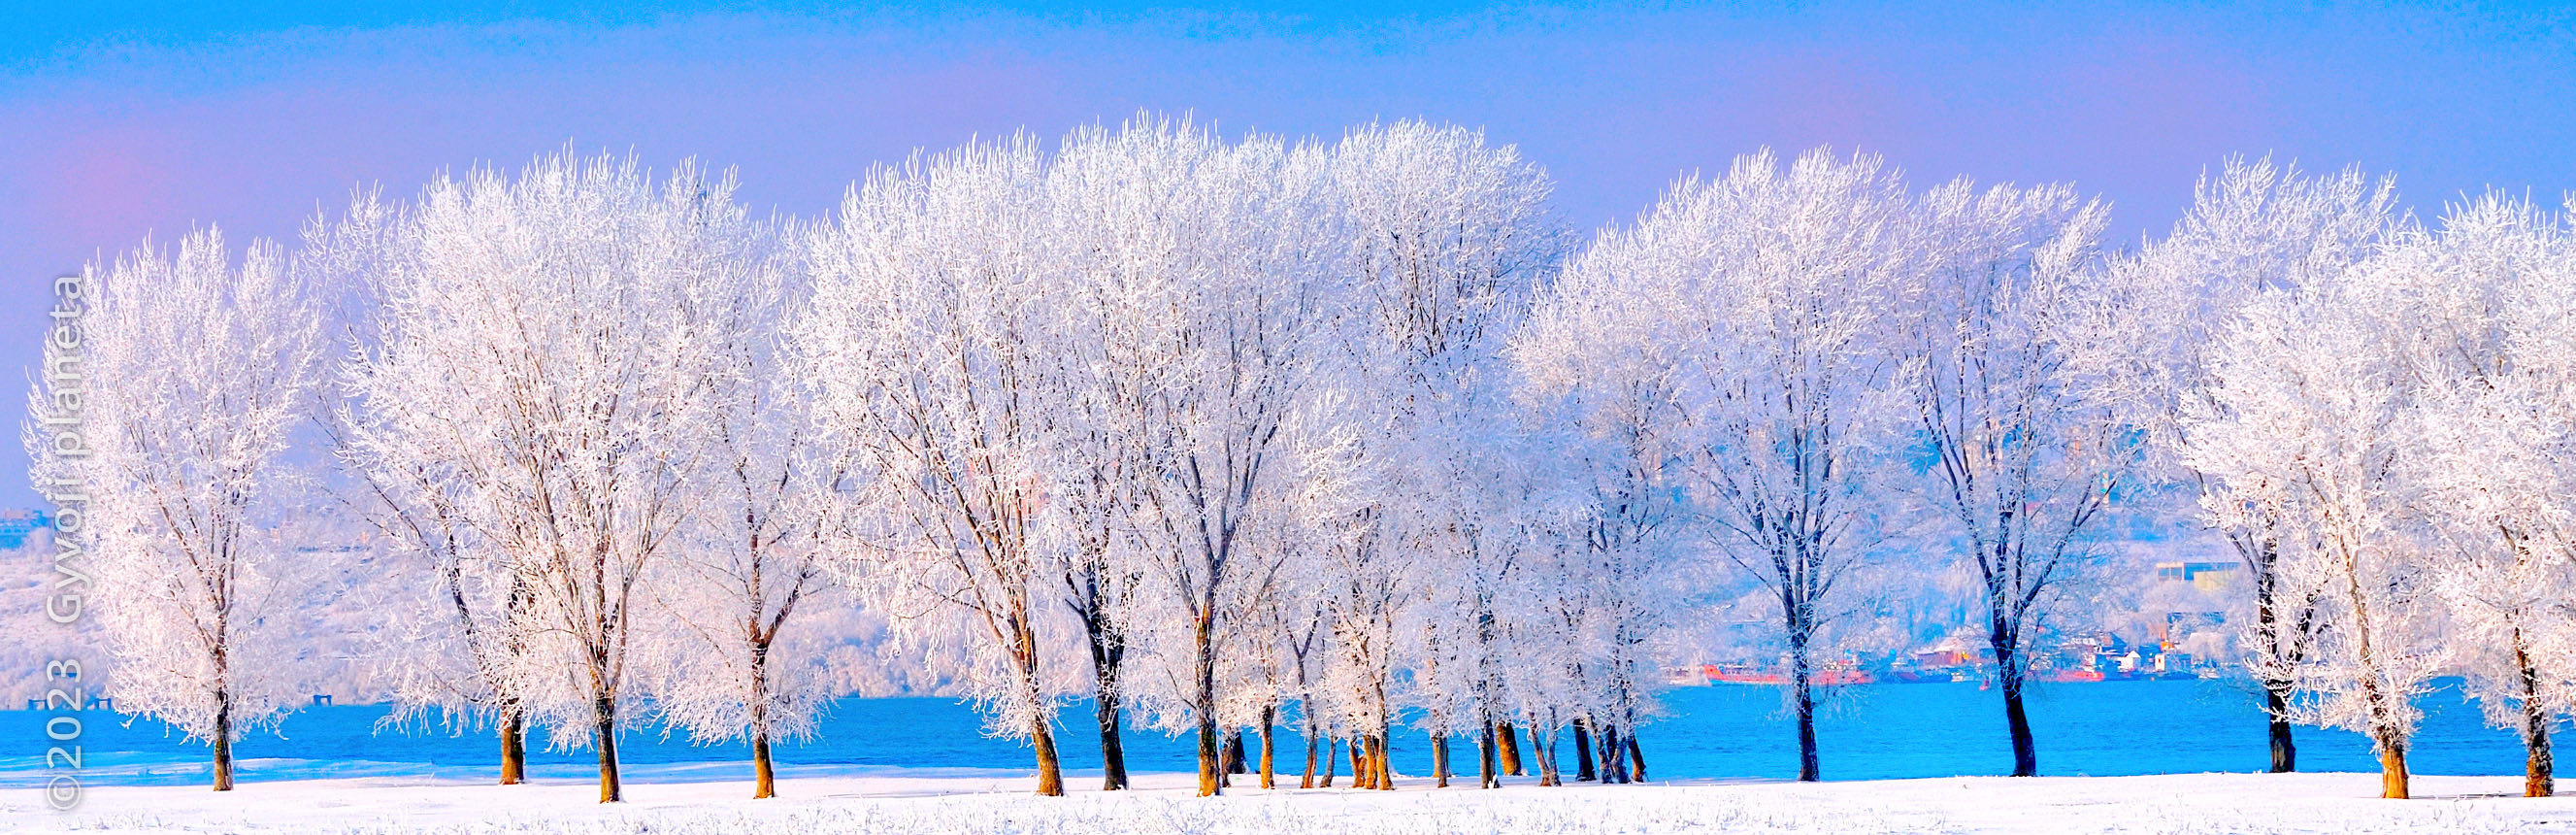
(952, 803)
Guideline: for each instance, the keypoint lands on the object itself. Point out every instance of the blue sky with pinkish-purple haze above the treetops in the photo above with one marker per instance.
(130, 120)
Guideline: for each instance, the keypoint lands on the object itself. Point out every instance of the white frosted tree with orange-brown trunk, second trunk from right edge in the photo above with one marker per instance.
(2312, 403)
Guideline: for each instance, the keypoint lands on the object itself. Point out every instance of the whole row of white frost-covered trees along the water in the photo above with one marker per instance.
(1235, 432)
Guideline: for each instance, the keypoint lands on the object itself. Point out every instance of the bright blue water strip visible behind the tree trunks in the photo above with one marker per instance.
(1712, 733)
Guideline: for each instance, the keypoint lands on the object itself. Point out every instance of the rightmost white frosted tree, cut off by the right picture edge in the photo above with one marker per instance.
(2485, 311)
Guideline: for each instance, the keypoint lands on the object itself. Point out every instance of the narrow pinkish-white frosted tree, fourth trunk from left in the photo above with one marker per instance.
(769, 506)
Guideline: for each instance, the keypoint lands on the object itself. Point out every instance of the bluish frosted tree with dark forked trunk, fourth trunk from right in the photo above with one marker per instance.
(2021, 463)
